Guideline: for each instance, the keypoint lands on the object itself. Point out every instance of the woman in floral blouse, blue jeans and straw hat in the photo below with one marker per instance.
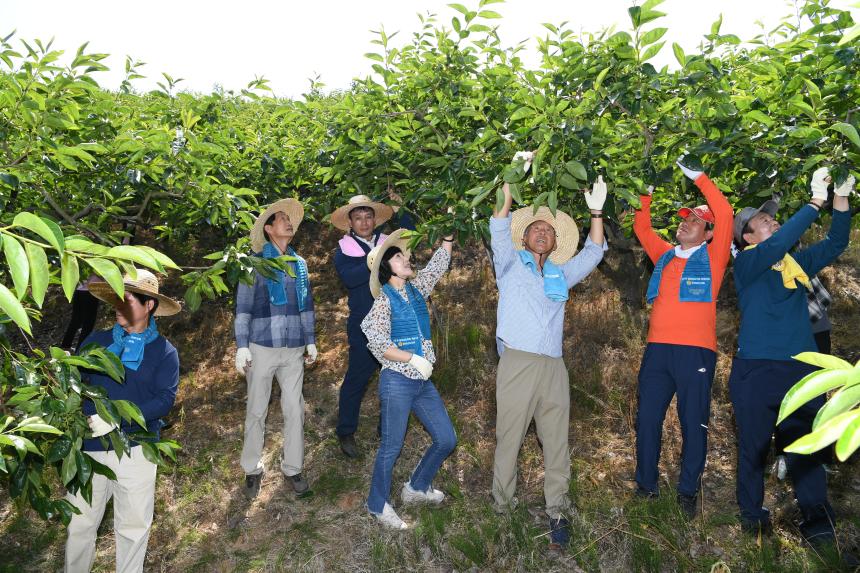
(398, 333)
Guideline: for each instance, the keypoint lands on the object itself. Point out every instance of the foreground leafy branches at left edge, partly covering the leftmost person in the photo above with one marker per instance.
(42, 425)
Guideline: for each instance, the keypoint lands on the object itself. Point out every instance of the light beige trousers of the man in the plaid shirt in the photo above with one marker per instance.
(287, 365)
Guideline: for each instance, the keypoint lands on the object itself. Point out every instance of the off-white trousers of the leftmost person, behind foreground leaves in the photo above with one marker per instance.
(133, 495)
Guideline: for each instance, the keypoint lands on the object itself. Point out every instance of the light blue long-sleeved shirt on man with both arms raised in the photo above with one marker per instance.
(526, 319)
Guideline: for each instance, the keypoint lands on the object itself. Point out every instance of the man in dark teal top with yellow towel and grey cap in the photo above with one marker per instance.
(772, 290)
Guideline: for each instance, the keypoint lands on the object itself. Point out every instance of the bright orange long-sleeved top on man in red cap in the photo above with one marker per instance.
(673, 321)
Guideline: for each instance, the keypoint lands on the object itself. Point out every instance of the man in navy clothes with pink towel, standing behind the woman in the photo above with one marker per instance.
(362, 219)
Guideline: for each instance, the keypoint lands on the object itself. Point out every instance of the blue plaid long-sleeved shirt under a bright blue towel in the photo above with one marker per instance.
(262, 323)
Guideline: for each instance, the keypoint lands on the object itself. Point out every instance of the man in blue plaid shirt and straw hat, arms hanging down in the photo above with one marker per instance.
(274, 327)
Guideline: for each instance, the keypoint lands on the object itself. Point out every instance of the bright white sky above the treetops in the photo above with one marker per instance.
(229, 43)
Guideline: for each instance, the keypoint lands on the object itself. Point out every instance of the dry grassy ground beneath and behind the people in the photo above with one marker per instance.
(202, 522)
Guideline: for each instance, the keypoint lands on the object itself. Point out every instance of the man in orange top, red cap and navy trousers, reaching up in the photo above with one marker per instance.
(681, 356)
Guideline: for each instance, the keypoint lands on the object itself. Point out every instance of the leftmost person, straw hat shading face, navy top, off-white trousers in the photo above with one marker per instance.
(150, 382)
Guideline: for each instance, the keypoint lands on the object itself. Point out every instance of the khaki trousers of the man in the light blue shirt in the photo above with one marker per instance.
(532, 386)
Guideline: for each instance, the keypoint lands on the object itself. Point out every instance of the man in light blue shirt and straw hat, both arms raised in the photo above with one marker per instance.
(533, 255)
